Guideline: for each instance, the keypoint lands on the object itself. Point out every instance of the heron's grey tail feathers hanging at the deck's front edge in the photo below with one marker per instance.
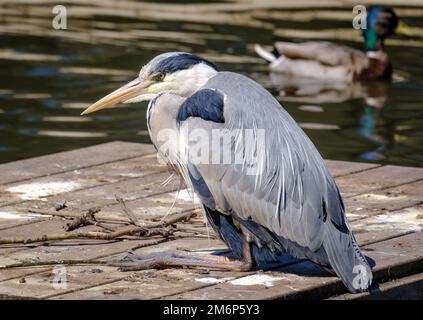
(346, 259)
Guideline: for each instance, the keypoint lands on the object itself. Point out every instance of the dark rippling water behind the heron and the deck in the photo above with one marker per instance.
(48, 77)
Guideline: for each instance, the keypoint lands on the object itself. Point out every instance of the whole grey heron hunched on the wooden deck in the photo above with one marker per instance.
(278, 198)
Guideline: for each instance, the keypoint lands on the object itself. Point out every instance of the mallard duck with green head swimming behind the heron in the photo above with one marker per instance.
(329, 61)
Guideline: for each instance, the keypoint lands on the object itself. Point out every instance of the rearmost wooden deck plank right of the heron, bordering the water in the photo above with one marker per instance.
(377, 179)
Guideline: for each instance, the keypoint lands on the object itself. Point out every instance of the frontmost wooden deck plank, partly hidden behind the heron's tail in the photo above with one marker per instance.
(394, 258)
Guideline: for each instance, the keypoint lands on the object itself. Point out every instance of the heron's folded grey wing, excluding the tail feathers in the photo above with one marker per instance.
(280, 180)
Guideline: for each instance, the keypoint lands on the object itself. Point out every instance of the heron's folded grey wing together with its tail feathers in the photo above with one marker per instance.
(294, 196)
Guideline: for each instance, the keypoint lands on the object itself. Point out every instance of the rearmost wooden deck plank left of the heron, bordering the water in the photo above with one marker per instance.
(71, 160)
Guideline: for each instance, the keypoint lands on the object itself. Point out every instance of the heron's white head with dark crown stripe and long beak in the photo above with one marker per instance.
(174, 72)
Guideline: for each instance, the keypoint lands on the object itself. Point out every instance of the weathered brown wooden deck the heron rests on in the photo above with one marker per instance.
(384, 204)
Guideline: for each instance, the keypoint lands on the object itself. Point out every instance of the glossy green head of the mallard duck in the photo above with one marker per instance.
(381, 23)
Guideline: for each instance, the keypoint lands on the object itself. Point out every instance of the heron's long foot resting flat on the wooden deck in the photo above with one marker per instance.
(180, 258)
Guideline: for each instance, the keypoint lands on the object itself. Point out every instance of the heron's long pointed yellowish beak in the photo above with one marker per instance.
(121, 95)
